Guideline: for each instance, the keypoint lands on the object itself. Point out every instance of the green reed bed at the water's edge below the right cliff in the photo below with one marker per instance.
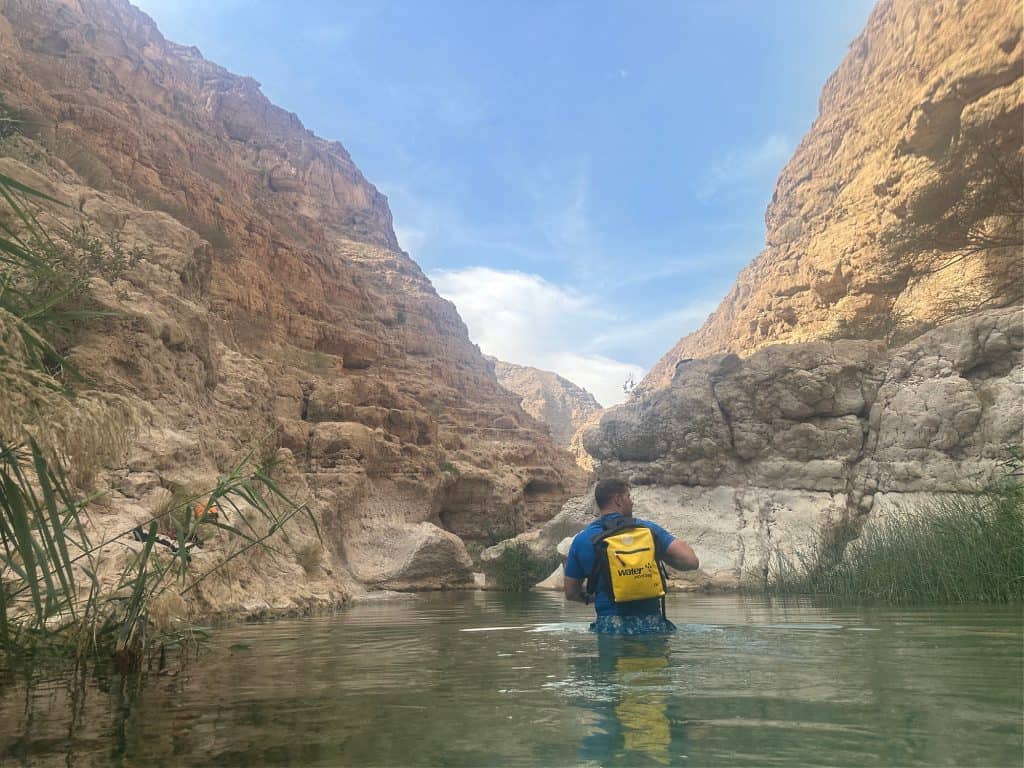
(955, 549)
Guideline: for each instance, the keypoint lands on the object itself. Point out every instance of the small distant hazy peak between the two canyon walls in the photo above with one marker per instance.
(549, 399)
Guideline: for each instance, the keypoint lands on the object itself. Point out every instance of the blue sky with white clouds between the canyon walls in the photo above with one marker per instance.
(584, 180)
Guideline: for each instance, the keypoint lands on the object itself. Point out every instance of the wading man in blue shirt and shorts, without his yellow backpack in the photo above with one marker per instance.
(638, 617)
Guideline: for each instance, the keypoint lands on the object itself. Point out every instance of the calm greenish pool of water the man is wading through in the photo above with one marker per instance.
(489, 679)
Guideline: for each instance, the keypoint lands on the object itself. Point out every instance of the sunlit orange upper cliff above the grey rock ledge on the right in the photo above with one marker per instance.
(901, 209)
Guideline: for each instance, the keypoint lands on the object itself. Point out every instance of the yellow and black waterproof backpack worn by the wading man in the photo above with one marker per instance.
(633, 569)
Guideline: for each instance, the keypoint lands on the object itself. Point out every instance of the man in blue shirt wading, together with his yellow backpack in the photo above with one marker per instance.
(621, 558)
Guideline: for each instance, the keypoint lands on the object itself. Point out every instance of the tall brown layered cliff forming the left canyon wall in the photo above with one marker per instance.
(272, 308)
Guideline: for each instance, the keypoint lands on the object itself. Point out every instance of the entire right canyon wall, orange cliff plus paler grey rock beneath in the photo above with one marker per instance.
(871, 358)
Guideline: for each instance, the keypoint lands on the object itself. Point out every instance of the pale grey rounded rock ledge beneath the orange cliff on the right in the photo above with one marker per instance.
(746, 458)
